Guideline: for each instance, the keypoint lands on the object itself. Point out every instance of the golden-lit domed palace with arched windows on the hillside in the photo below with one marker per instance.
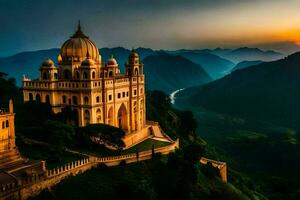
(97, 92)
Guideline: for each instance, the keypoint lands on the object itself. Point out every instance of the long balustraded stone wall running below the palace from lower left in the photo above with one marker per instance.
(32, 186)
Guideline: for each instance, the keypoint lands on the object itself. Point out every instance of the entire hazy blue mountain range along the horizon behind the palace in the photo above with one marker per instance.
(211, 65)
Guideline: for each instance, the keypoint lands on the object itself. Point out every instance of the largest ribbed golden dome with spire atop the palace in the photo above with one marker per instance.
(78, 46)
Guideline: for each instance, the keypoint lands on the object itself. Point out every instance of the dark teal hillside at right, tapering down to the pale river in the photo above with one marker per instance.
(269, 91)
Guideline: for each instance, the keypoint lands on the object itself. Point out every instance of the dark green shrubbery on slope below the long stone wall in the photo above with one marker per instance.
(171, 178)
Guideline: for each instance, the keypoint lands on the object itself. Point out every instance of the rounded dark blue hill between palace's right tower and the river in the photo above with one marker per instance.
(168, 73)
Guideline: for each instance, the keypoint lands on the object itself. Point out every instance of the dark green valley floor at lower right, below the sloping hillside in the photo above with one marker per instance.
(263, 156)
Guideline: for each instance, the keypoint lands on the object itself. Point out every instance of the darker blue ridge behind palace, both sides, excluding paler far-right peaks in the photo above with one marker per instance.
(28, 63)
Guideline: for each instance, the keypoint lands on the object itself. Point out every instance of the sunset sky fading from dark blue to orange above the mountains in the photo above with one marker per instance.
(165, 24)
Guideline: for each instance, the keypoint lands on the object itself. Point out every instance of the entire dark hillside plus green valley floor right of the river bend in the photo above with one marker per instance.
(252, 117)
